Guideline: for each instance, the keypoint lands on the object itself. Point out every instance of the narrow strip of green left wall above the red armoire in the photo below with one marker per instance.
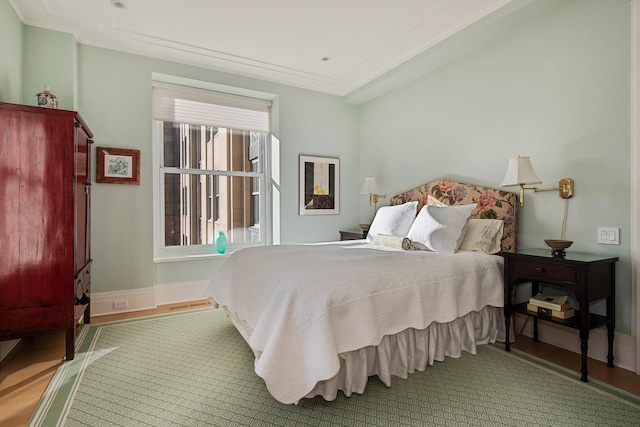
(10, 54)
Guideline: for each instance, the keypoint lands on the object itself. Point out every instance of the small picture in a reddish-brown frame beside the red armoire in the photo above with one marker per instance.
(117, 165)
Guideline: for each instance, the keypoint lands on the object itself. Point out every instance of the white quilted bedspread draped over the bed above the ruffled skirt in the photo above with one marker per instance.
(307, 304)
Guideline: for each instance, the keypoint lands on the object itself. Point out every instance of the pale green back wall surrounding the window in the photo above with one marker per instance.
(114, 98)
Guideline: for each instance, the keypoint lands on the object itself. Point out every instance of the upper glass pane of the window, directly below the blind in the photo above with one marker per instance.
(209, 148)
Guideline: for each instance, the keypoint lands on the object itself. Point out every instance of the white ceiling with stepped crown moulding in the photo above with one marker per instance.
(282, 41)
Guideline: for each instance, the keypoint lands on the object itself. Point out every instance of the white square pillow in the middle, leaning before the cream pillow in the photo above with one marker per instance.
(441, 229)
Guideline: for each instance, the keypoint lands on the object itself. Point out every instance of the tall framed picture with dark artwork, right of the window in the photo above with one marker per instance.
(319, 185)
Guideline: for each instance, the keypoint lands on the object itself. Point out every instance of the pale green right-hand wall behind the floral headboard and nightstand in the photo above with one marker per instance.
(557, 90)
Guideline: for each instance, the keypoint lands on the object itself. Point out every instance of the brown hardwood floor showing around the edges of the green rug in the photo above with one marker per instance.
(25, 374)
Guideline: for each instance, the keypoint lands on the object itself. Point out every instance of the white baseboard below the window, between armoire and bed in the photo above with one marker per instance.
(105, 303)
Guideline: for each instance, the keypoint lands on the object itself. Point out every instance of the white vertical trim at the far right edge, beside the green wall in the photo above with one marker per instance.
(635, 180)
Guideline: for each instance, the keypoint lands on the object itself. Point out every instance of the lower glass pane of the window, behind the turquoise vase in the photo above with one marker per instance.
(197, 207)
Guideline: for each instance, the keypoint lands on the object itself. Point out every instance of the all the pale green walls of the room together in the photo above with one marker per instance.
(556, 89)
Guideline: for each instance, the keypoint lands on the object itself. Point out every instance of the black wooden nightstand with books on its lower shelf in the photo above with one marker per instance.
(588, 277)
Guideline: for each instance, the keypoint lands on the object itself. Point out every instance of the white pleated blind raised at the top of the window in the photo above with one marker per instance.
(204, 107)
